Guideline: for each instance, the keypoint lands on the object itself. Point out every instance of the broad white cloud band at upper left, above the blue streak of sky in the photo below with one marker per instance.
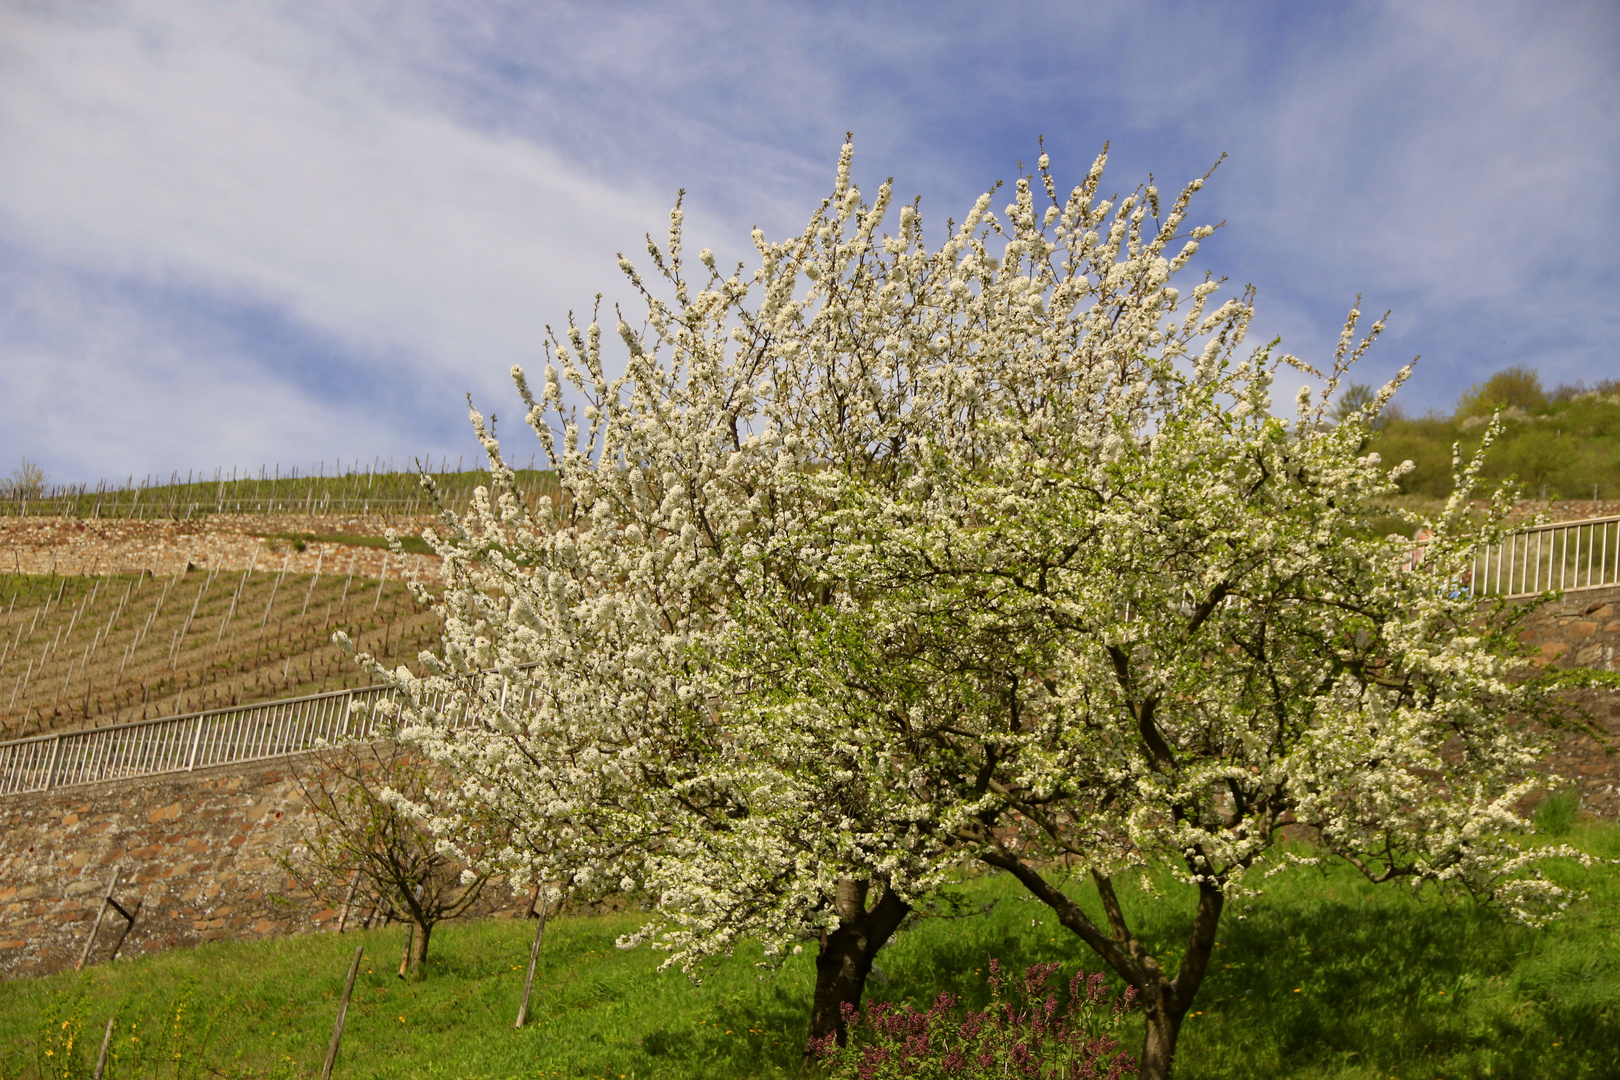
(166, 148)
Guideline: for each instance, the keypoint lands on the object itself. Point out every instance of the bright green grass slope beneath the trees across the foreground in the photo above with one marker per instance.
(1324, 976)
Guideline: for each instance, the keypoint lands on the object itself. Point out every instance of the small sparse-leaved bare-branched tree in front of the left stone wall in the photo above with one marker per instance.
(369, 841)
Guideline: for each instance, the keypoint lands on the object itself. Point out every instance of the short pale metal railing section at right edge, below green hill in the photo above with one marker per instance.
(1566, 556)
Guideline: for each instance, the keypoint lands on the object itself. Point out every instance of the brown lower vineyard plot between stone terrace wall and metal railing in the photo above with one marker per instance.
(88, 652)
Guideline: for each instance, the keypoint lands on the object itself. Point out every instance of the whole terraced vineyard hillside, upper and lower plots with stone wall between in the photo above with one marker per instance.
(135, 619)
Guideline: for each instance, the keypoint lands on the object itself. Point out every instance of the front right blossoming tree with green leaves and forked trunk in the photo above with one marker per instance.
(1167, 653)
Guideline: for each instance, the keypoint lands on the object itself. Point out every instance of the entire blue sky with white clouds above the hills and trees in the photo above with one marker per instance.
(241, 234)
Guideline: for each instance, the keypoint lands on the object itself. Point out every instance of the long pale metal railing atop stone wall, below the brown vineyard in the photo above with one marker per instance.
(181, 744)
